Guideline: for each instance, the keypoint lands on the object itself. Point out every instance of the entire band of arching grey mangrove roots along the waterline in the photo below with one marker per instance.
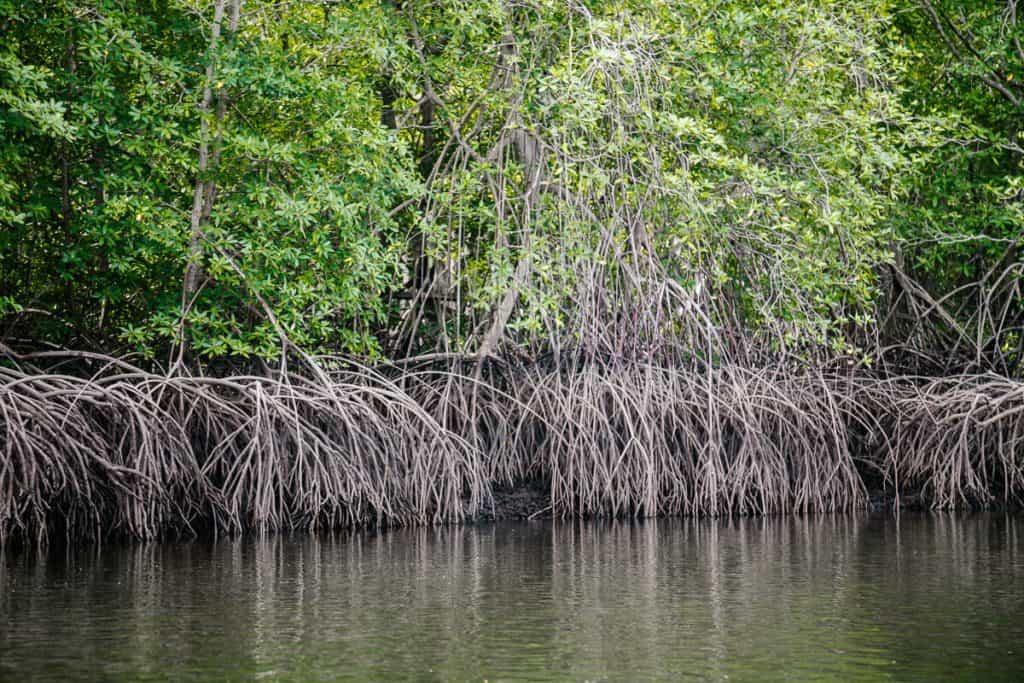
(129, 453)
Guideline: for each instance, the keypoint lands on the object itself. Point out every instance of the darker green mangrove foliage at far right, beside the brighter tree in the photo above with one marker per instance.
(960, 231)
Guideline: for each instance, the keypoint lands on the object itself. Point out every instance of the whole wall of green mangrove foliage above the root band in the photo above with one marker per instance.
(396, 178)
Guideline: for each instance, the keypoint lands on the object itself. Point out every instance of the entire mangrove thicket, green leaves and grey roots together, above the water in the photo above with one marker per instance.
(272, 266)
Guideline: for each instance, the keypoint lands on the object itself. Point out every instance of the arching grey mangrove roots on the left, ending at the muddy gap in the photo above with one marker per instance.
(138, 455)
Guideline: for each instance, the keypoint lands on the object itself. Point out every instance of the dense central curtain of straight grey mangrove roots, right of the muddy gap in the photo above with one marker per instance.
(641, 440)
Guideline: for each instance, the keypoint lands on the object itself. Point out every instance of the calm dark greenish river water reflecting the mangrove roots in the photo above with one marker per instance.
(845, 599)
